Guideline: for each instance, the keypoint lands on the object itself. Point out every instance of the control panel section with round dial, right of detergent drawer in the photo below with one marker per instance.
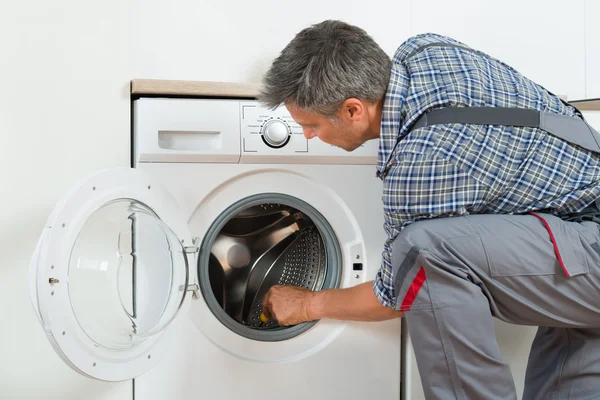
(273, 134)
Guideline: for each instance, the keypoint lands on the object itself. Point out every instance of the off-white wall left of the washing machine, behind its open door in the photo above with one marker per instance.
(64, 112)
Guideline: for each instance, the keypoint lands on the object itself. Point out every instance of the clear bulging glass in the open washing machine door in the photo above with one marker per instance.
(127, 275)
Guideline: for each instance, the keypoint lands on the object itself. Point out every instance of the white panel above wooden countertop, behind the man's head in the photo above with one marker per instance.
(217, 41)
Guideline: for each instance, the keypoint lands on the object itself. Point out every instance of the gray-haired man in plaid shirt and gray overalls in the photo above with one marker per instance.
(484, 219)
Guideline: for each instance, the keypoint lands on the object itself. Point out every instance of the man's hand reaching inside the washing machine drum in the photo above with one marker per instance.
(288, 305)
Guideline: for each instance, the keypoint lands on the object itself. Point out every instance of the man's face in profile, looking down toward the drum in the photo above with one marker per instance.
(347, 132)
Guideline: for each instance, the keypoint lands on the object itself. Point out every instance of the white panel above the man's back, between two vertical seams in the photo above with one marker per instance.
(544, 40)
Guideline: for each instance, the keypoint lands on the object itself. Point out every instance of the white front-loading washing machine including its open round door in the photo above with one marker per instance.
(157, 272)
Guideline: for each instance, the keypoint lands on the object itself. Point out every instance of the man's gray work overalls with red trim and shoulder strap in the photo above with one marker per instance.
(454, 274)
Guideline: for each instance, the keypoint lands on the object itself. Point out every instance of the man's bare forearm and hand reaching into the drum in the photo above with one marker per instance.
(291, 305)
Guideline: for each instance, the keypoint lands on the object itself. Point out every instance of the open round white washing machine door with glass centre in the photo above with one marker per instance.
(110, 274)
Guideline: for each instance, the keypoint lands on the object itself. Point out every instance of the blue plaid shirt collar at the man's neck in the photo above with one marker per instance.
(391, 117)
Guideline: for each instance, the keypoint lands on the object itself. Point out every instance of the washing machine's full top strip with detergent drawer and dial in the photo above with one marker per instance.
(230, 131)
